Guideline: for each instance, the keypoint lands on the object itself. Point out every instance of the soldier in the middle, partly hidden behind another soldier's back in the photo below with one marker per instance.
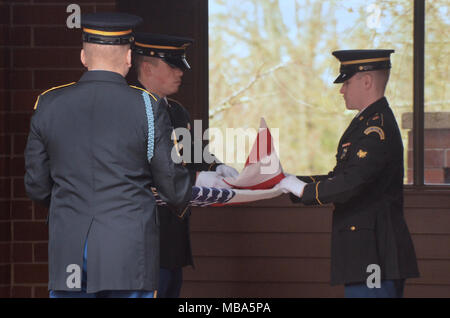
(160, 61)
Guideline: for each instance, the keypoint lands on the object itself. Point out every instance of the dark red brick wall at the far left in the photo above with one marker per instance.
(37, 52)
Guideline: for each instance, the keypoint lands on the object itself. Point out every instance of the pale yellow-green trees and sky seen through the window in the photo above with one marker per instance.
(272, 59)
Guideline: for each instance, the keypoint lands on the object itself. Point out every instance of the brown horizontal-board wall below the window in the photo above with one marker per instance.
(274, 248)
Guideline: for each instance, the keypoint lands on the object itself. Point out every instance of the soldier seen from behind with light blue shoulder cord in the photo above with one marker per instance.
(94, 150)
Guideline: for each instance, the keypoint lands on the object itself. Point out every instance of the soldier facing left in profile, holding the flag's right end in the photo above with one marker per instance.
(365, 186)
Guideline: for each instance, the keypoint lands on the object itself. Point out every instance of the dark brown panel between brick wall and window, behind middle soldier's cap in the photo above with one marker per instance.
(181, 18)
